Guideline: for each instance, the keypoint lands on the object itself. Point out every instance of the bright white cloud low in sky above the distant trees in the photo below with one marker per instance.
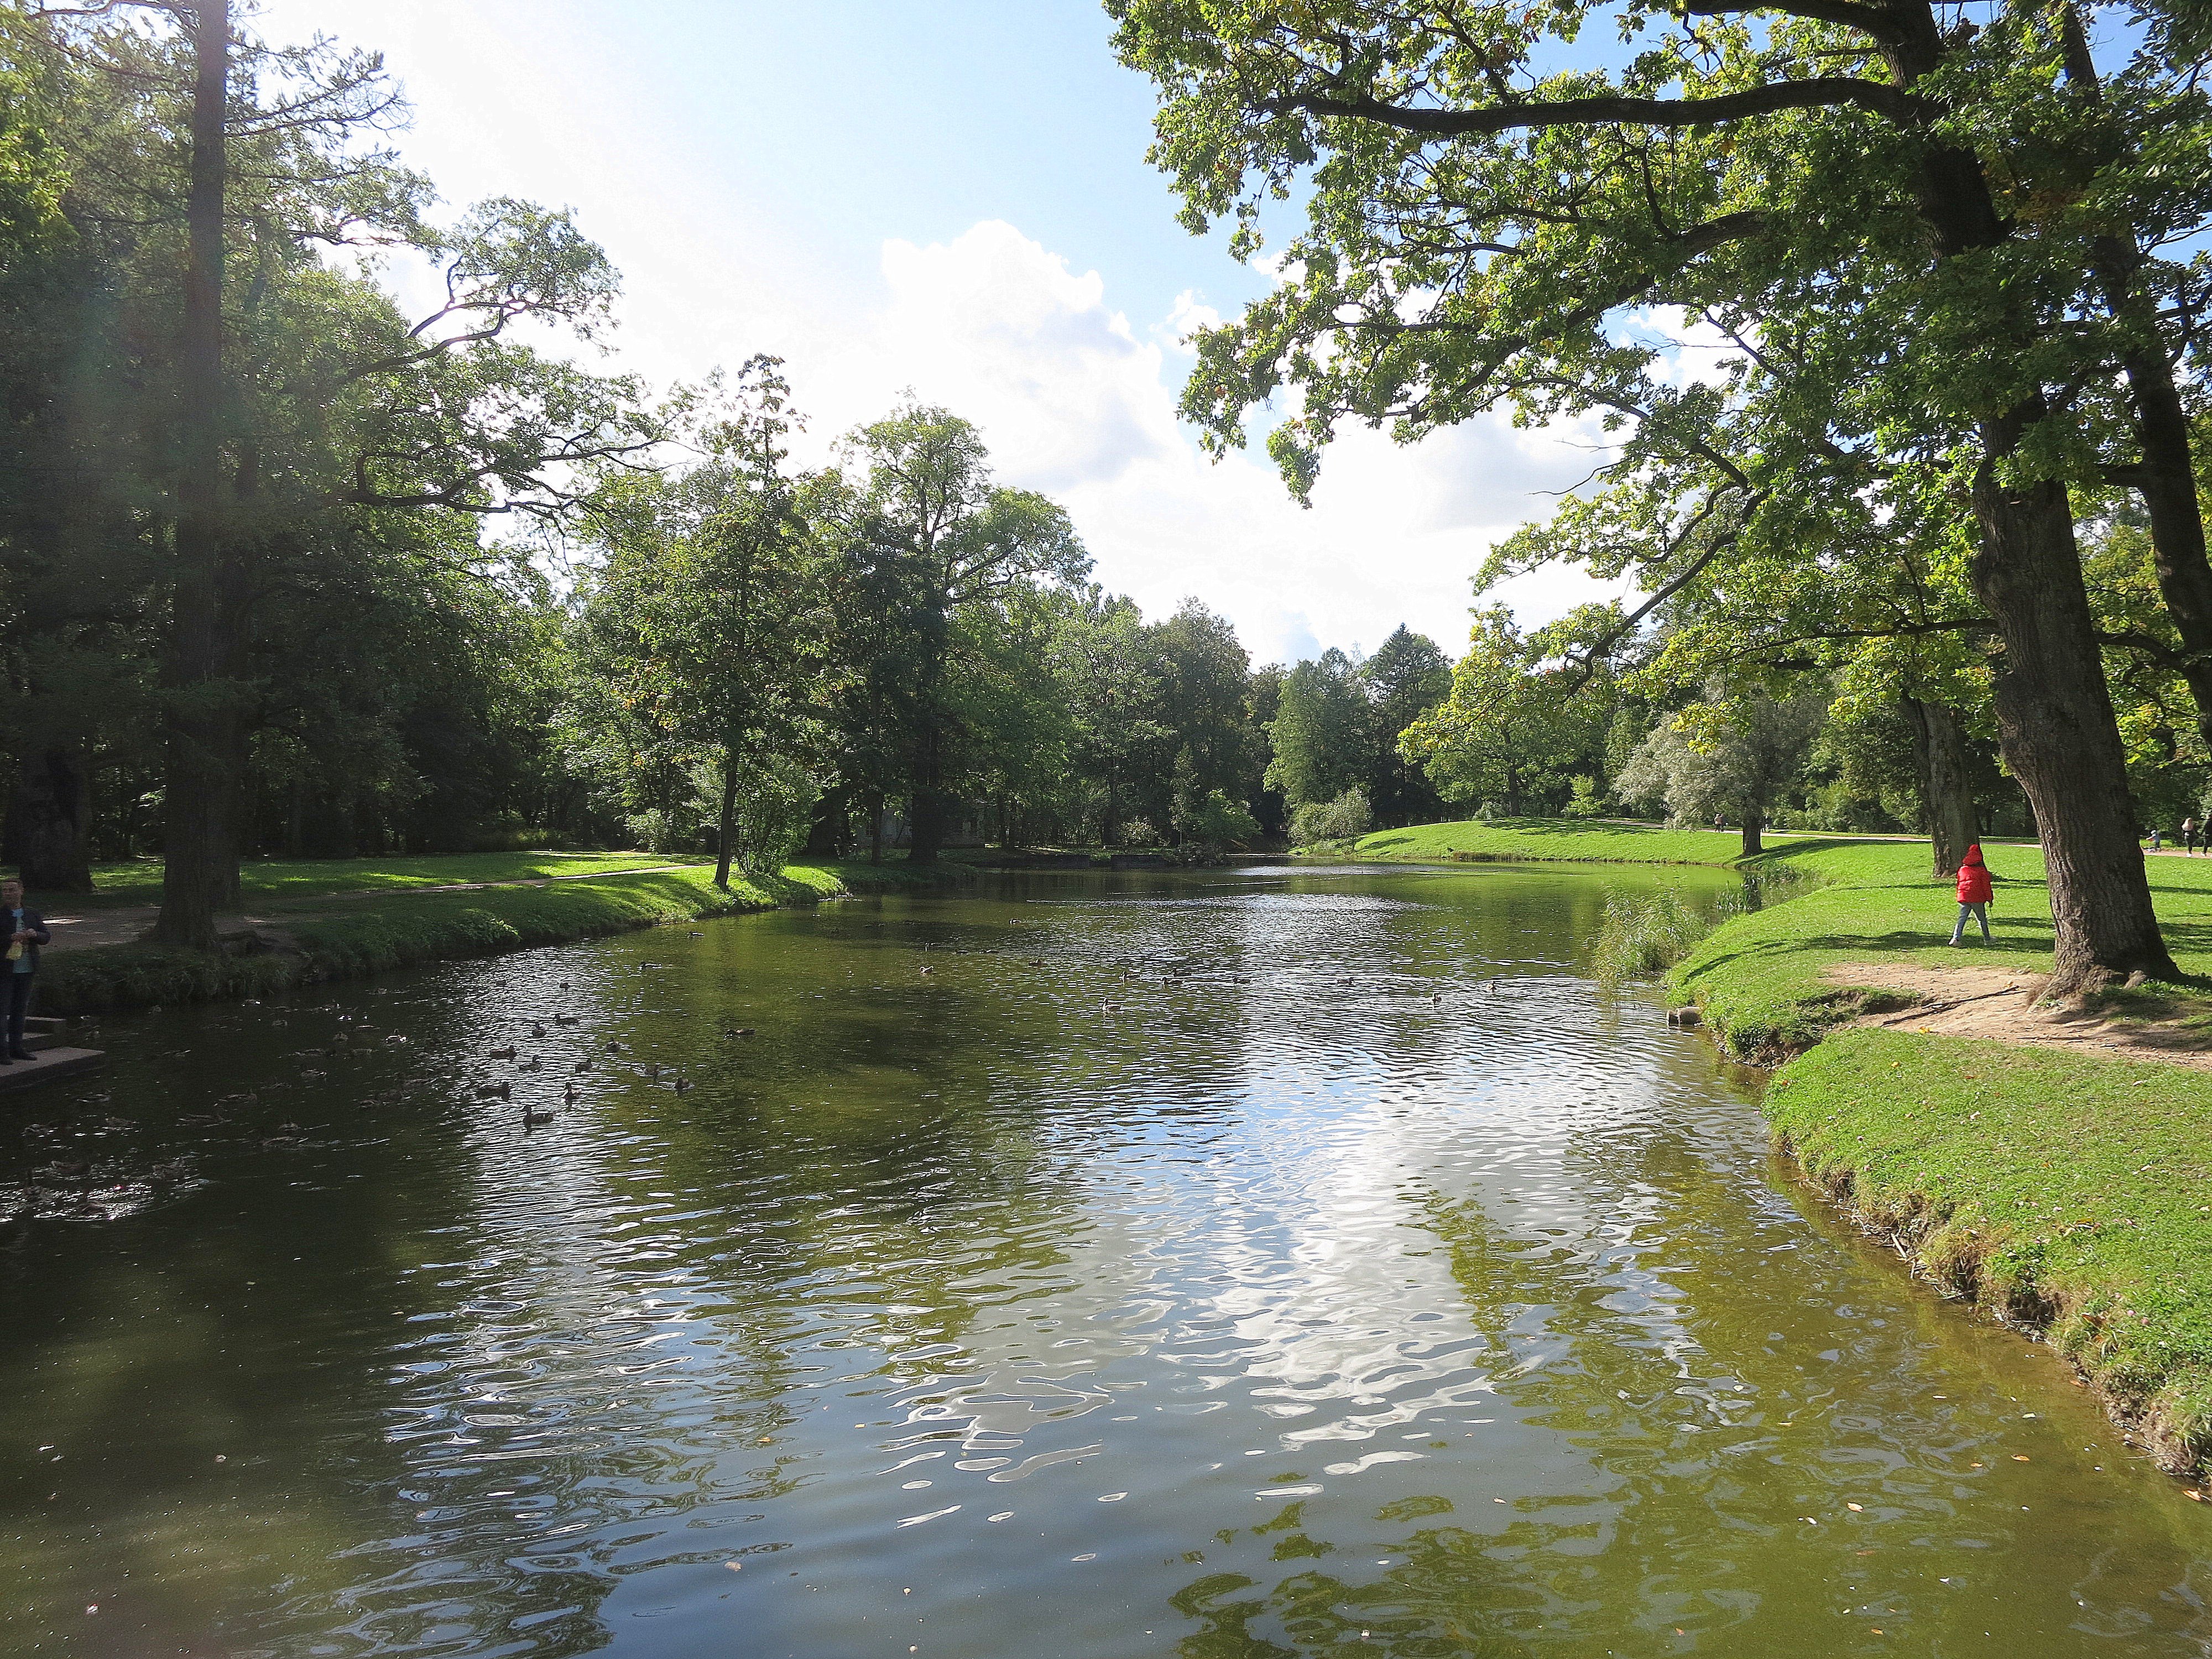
(1076, 404)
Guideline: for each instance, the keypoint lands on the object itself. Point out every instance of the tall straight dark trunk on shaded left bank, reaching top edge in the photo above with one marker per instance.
(200, 837)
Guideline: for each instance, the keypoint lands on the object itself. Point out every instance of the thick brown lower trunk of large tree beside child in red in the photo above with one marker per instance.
(2058, 733)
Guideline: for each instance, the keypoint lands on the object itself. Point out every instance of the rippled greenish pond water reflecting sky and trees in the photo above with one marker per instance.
(1224, 1266)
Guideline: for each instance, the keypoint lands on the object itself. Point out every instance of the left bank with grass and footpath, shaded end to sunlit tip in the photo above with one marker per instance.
(306, 921)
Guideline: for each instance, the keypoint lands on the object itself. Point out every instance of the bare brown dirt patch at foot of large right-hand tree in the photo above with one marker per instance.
(2001, 1005)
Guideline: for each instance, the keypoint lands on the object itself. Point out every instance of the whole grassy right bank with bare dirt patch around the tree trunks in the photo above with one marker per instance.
(2052, 1169)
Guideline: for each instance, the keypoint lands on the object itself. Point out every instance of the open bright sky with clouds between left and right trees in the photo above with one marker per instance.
(948, 198)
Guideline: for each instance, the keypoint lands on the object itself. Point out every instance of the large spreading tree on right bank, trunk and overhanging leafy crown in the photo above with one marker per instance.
(1477, 227)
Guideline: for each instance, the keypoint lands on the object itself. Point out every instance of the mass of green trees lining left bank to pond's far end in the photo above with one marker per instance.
(291, 570)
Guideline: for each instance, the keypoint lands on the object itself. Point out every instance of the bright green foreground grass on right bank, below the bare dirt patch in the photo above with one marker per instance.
(2058, 1191)
